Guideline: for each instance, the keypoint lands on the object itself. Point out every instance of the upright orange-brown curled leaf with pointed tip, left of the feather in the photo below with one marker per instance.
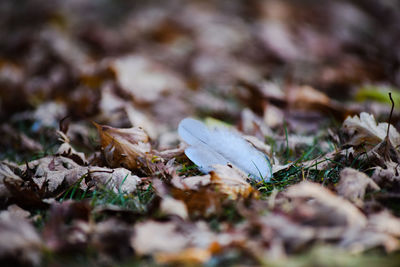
(124, 147)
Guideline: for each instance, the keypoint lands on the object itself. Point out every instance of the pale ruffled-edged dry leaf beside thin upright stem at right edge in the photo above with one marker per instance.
(364, 130)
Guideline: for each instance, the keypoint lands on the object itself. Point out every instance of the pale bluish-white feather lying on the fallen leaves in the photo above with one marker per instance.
(222, 146)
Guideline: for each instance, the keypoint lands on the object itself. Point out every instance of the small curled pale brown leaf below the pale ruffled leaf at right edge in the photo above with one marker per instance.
(353, 184)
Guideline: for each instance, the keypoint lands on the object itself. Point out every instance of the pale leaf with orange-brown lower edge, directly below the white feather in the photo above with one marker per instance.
(231, 181)
